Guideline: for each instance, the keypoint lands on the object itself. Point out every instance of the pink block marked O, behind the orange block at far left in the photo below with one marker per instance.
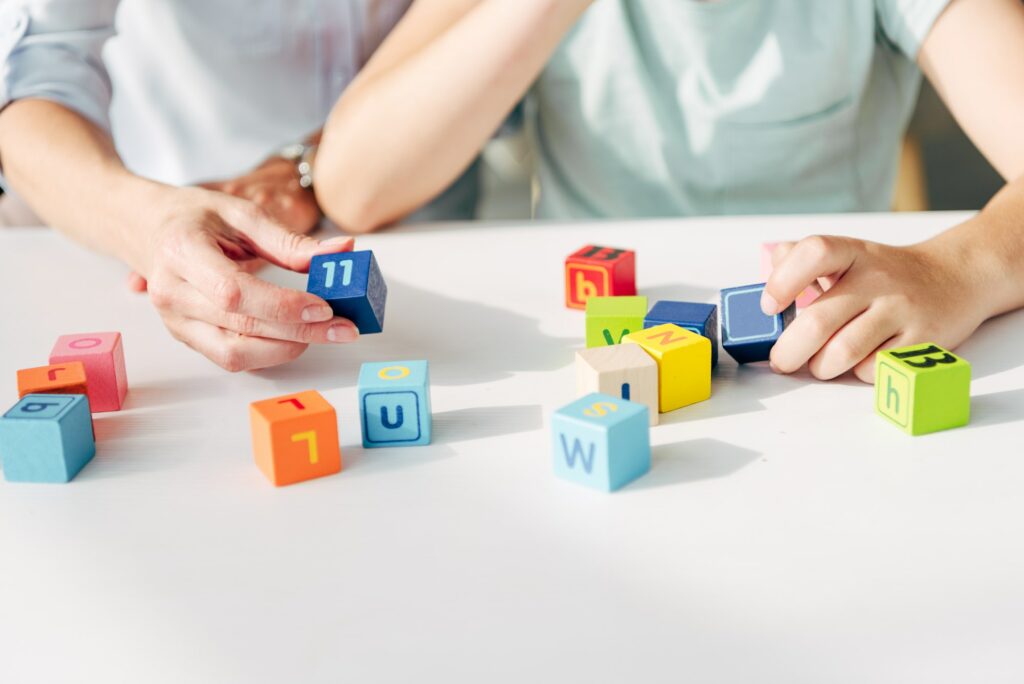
(104, 358)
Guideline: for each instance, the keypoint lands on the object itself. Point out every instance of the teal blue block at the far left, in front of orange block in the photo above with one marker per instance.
(47, 439)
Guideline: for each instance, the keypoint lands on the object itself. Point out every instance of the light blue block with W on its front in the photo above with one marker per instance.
(602, 442)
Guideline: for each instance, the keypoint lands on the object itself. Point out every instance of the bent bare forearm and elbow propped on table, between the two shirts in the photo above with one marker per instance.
(429, 101)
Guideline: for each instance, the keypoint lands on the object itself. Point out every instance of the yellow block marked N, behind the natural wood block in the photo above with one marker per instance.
(684, 364)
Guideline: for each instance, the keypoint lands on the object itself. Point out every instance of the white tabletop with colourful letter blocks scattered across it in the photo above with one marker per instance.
(786, 533)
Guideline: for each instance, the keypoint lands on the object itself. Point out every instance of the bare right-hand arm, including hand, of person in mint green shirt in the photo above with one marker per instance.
(943, 289)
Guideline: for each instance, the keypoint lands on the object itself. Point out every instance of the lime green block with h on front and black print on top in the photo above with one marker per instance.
(923, 389)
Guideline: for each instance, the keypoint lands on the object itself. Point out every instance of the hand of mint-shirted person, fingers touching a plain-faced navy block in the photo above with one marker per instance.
(876, 297)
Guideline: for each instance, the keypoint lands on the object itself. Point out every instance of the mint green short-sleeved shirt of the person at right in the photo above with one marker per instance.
(676, 108)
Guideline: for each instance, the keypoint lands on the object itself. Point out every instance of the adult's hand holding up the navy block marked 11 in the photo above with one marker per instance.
(195, 266)
